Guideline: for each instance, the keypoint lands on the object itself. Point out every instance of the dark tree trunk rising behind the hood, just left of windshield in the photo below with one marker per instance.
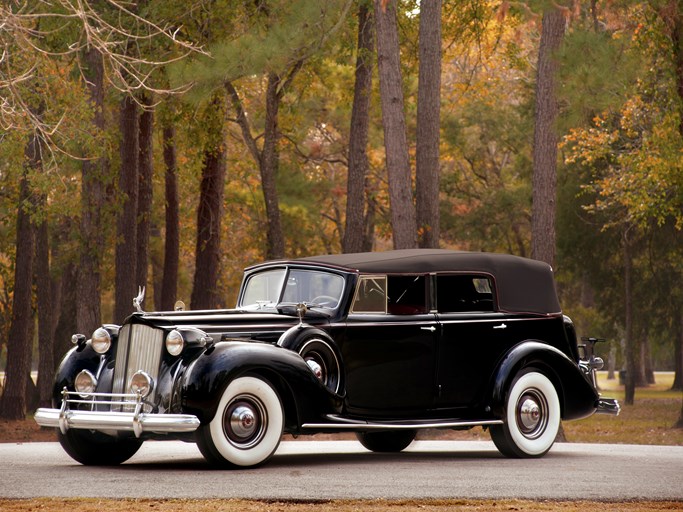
(205, 290)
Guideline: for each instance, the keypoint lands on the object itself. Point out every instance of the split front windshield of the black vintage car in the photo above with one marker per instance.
(268, 288)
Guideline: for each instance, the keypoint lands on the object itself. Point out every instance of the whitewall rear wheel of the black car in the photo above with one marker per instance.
(532, 418)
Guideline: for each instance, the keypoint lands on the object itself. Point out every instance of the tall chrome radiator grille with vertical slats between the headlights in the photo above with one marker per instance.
(139, 348)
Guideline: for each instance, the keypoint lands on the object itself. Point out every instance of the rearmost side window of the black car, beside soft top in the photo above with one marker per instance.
(463, 293)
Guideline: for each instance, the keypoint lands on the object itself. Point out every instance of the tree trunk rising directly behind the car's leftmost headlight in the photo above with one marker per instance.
(94, 177)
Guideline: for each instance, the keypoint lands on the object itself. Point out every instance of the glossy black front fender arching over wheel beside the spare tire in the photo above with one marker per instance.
(303, 396)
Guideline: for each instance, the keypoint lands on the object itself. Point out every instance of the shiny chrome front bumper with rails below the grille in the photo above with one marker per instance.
(135, 421)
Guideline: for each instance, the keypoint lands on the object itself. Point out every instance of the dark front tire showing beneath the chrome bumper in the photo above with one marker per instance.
(97, 449)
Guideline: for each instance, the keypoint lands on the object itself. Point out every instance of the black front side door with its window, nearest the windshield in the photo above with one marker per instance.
(389, 348)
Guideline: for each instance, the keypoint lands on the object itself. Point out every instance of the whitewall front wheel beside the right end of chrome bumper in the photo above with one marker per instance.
(247, 427)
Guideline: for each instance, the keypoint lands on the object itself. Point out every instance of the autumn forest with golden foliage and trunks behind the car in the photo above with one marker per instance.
(170, 144)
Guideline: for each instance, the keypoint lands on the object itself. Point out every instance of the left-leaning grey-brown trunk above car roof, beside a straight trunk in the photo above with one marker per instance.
(403, 220)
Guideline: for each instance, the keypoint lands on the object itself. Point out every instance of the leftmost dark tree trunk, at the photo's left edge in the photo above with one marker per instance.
(20, 339)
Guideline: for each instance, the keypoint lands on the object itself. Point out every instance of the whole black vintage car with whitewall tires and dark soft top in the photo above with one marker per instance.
(380, 344)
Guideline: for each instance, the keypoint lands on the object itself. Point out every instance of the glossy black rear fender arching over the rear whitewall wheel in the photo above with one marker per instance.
(577, 396)
